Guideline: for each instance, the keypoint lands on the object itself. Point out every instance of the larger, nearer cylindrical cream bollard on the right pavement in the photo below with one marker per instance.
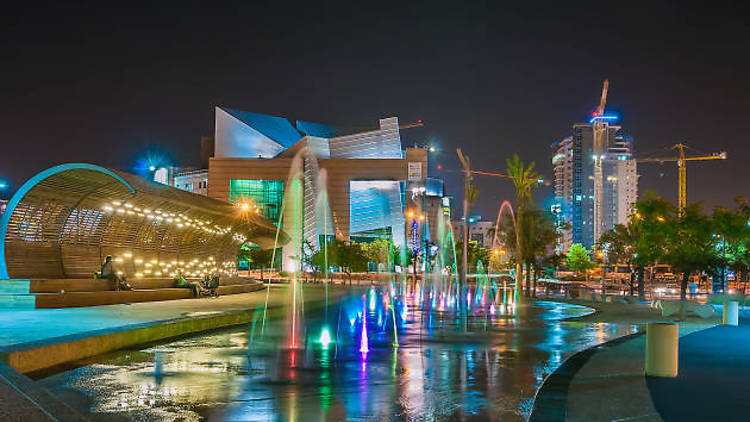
(662, 341)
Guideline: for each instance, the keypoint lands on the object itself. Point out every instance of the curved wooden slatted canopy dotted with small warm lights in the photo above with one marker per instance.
(65, 220)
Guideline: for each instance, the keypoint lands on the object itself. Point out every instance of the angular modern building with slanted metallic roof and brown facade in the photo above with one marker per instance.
(352, 183)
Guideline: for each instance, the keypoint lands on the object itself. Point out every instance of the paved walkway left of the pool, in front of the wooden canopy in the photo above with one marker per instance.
(64, 335)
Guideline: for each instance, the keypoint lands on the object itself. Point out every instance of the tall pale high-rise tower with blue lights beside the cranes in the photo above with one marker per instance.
(573, 161)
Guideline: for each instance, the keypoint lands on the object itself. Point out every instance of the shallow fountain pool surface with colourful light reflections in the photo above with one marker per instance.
(489, 370)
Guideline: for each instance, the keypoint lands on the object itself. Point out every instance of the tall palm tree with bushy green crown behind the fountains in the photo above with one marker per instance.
(524, 179)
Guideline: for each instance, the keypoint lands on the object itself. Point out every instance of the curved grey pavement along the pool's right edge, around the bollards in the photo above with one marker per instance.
(607, 382)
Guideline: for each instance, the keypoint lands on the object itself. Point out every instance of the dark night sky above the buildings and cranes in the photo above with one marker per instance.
(105, 84)
